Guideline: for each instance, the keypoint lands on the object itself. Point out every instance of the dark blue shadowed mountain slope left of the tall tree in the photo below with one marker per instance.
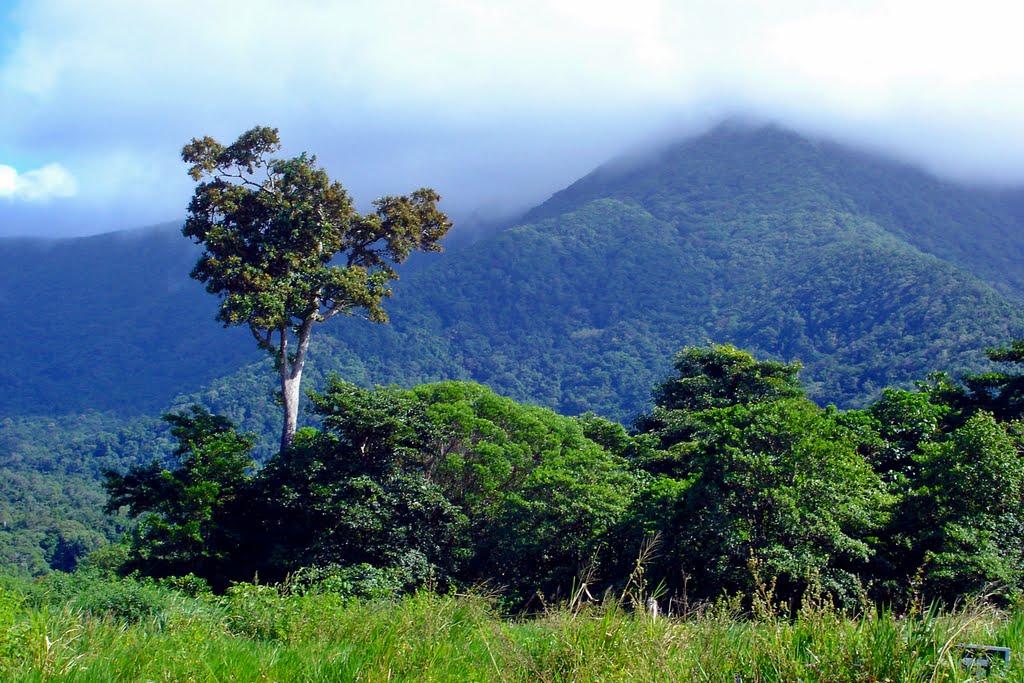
(108, 323)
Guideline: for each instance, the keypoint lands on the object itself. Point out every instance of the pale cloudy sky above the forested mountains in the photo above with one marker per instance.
(495, 104)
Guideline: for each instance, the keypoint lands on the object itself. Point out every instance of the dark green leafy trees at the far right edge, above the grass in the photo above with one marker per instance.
(955, 472)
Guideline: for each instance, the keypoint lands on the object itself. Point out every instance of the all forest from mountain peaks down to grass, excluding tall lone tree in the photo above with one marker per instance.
(470, 467)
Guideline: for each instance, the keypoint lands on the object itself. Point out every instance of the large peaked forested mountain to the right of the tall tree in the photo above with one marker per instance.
(871, 273)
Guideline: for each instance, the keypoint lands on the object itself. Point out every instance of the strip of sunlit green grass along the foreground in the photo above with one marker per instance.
(259, 633)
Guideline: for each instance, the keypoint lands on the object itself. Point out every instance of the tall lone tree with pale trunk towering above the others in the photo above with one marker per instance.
(285, 248)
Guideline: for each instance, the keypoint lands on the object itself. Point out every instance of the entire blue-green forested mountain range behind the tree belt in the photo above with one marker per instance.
(870, 272)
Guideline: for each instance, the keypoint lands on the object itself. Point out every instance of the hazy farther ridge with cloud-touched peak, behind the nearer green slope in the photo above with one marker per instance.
(976, 228)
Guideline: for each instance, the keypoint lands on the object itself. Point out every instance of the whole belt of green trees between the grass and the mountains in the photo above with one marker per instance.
(734, 479)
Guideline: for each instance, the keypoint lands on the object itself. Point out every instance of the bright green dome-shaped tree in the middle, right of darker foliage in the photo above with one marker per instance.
(540, 496)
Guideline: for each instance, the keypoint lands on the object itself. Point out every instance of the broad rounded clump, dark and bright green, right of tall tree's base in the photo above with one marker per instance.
(447, 483)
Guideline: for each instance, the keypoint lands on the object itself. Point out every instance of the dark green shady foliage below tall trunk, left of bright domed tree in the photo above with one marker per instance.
(328, 507)
